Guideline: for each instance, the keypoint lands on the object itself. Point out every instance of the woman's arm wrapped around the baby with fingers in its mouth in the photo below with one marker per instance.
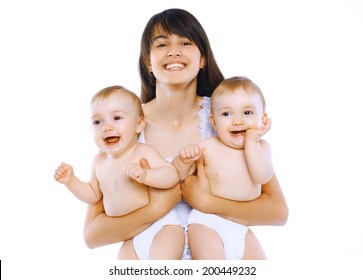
(269, 209)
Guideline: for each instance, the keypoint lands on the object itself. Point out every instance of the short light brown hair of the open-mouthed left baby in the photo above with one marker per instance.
(109, 91)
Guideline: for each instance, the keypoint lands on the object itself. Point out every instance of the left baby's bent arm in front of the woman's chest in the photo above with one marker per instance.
(161, 174)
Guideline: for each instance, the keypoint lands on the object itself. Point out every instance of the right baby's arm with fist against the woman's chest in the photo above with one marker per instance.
(185, 162)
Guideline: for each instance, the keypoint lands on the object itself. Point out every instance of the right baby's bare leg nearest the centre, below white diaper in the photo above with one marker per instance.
(205, 243)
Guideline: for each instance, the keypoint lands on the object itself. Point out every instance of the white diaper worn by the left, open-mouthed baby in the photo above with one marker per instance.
(142, 241)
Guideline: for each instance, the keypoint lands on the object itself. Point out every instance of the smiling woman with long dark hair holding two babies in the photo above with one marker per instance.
(179, 73)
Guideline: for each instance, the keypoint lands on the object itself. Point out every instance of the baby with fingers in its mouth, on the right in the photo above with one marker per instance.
(237, 162)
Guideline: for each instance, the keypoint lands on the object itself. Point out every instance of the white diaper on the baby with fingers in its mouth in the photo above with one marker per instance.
(231, 233)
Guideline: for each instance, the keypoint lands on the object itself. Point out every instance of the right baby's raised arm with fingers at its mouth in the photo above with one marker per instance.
(258, 155)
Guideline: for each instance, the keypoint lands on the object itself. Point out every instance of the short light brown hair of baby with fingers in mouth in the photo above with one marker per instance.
(231, 85)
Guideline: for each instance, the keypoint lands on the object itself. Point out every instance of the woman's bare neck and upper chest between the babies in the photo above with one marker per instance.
(172, 120)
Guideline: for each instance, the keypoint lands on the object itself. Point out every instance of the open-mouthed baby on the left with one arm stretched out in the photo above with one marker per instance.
(117, 177)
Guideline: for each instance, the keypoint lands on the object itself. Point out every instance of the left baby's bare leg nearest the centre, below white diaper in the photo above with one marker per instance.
(168, 244)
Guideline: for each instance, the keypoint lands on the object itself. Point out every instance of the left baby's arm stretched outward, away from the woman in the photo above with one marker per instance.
(86, 192)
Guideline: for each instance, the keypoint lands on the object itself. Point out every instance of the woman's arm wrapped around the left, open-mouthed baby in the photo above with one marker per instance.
(100, 229)
